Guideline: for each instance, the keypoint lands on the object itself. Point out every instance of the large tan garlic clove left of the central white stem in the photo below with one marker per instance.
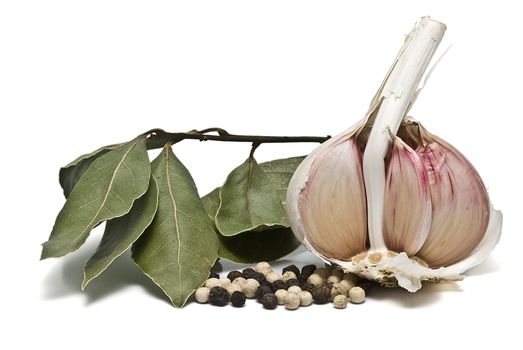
(332, 205)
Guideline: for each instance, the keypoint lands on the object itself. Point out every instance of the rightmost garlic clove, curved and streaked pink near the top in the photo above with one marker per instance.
(460, 203)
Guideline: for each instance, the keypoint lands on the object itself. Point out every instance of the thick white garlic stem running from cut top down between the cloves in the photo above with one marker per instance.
(397, 93)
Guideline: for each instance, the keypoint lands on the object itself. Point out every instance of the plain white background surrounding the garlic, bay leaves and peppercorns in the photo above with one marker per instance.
(75, 75)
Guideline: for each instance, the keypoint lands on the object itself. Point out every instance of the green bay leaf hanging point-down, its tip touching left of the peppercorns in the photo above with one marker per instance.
(179, 248)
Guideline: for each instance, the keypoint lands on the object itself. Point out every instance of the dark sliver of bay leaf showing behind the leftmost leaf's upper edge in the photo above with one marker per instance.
(72, 172)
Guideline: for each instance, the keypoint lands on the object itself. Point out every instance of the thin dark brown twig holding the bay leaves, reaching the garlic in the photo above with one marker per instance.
(157, 138)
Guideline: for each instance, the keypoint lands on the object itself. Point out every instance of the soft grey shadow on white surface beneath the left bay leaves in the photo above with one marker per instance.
(65, 278)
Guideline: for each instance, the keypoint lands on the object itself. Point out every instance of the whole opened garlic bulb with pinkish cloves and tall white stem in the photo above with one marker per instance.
(386, 199)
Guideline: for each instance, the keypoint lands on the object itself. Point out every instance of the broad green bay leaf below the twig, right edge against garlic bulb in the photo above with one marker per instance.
(252, 197)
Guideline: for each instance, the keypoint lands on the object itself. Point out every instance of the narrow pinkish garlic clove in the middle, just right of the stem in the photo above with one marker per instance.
(407, 208)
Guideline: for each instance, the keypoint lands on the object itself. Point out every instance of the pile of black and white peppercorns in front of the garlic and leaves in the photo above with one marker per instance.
(293, 288)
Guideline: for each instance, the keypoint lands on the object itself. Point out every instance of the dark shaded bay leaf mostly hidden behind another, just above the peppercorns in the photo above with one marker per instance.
(252, 246)
